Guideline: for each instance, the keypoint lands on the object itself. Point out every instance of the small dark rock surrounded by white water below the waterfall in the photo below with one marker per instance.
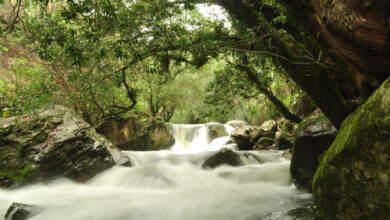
(224, 156)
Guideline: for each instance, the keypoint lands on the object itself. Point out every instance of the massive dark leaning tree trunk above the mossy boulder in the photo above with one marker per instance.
(353, 36)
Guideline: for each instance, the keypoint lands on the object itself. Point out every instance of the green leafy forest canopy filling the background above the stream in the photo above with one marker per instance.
(163, 59)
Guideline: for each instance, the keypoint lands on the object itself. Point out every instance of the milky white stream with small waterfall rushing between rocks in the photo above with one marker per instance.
(170, 185)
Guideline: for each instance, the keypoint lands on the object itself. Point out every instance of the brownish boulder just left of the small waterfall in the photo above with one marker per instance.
(131, 134)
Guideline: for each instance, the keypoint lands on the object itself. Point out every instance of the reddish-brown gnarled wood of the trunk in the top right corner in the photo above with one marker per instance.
(359, 31)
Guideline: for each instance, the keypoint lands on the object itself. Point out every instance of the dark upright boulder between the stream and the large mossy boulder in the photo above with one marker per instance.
(312, 138)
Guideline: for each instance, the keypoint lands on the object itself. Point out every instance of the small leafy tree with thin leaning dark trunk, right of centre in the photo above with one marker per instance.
(247, 79)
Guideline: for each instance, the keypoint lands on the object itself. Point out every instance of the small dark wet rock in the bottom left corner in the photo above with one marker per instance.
(19, 211)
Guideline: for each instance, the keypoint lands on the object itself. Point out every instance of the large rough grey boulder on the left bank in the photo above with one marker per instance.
(51, 143)
